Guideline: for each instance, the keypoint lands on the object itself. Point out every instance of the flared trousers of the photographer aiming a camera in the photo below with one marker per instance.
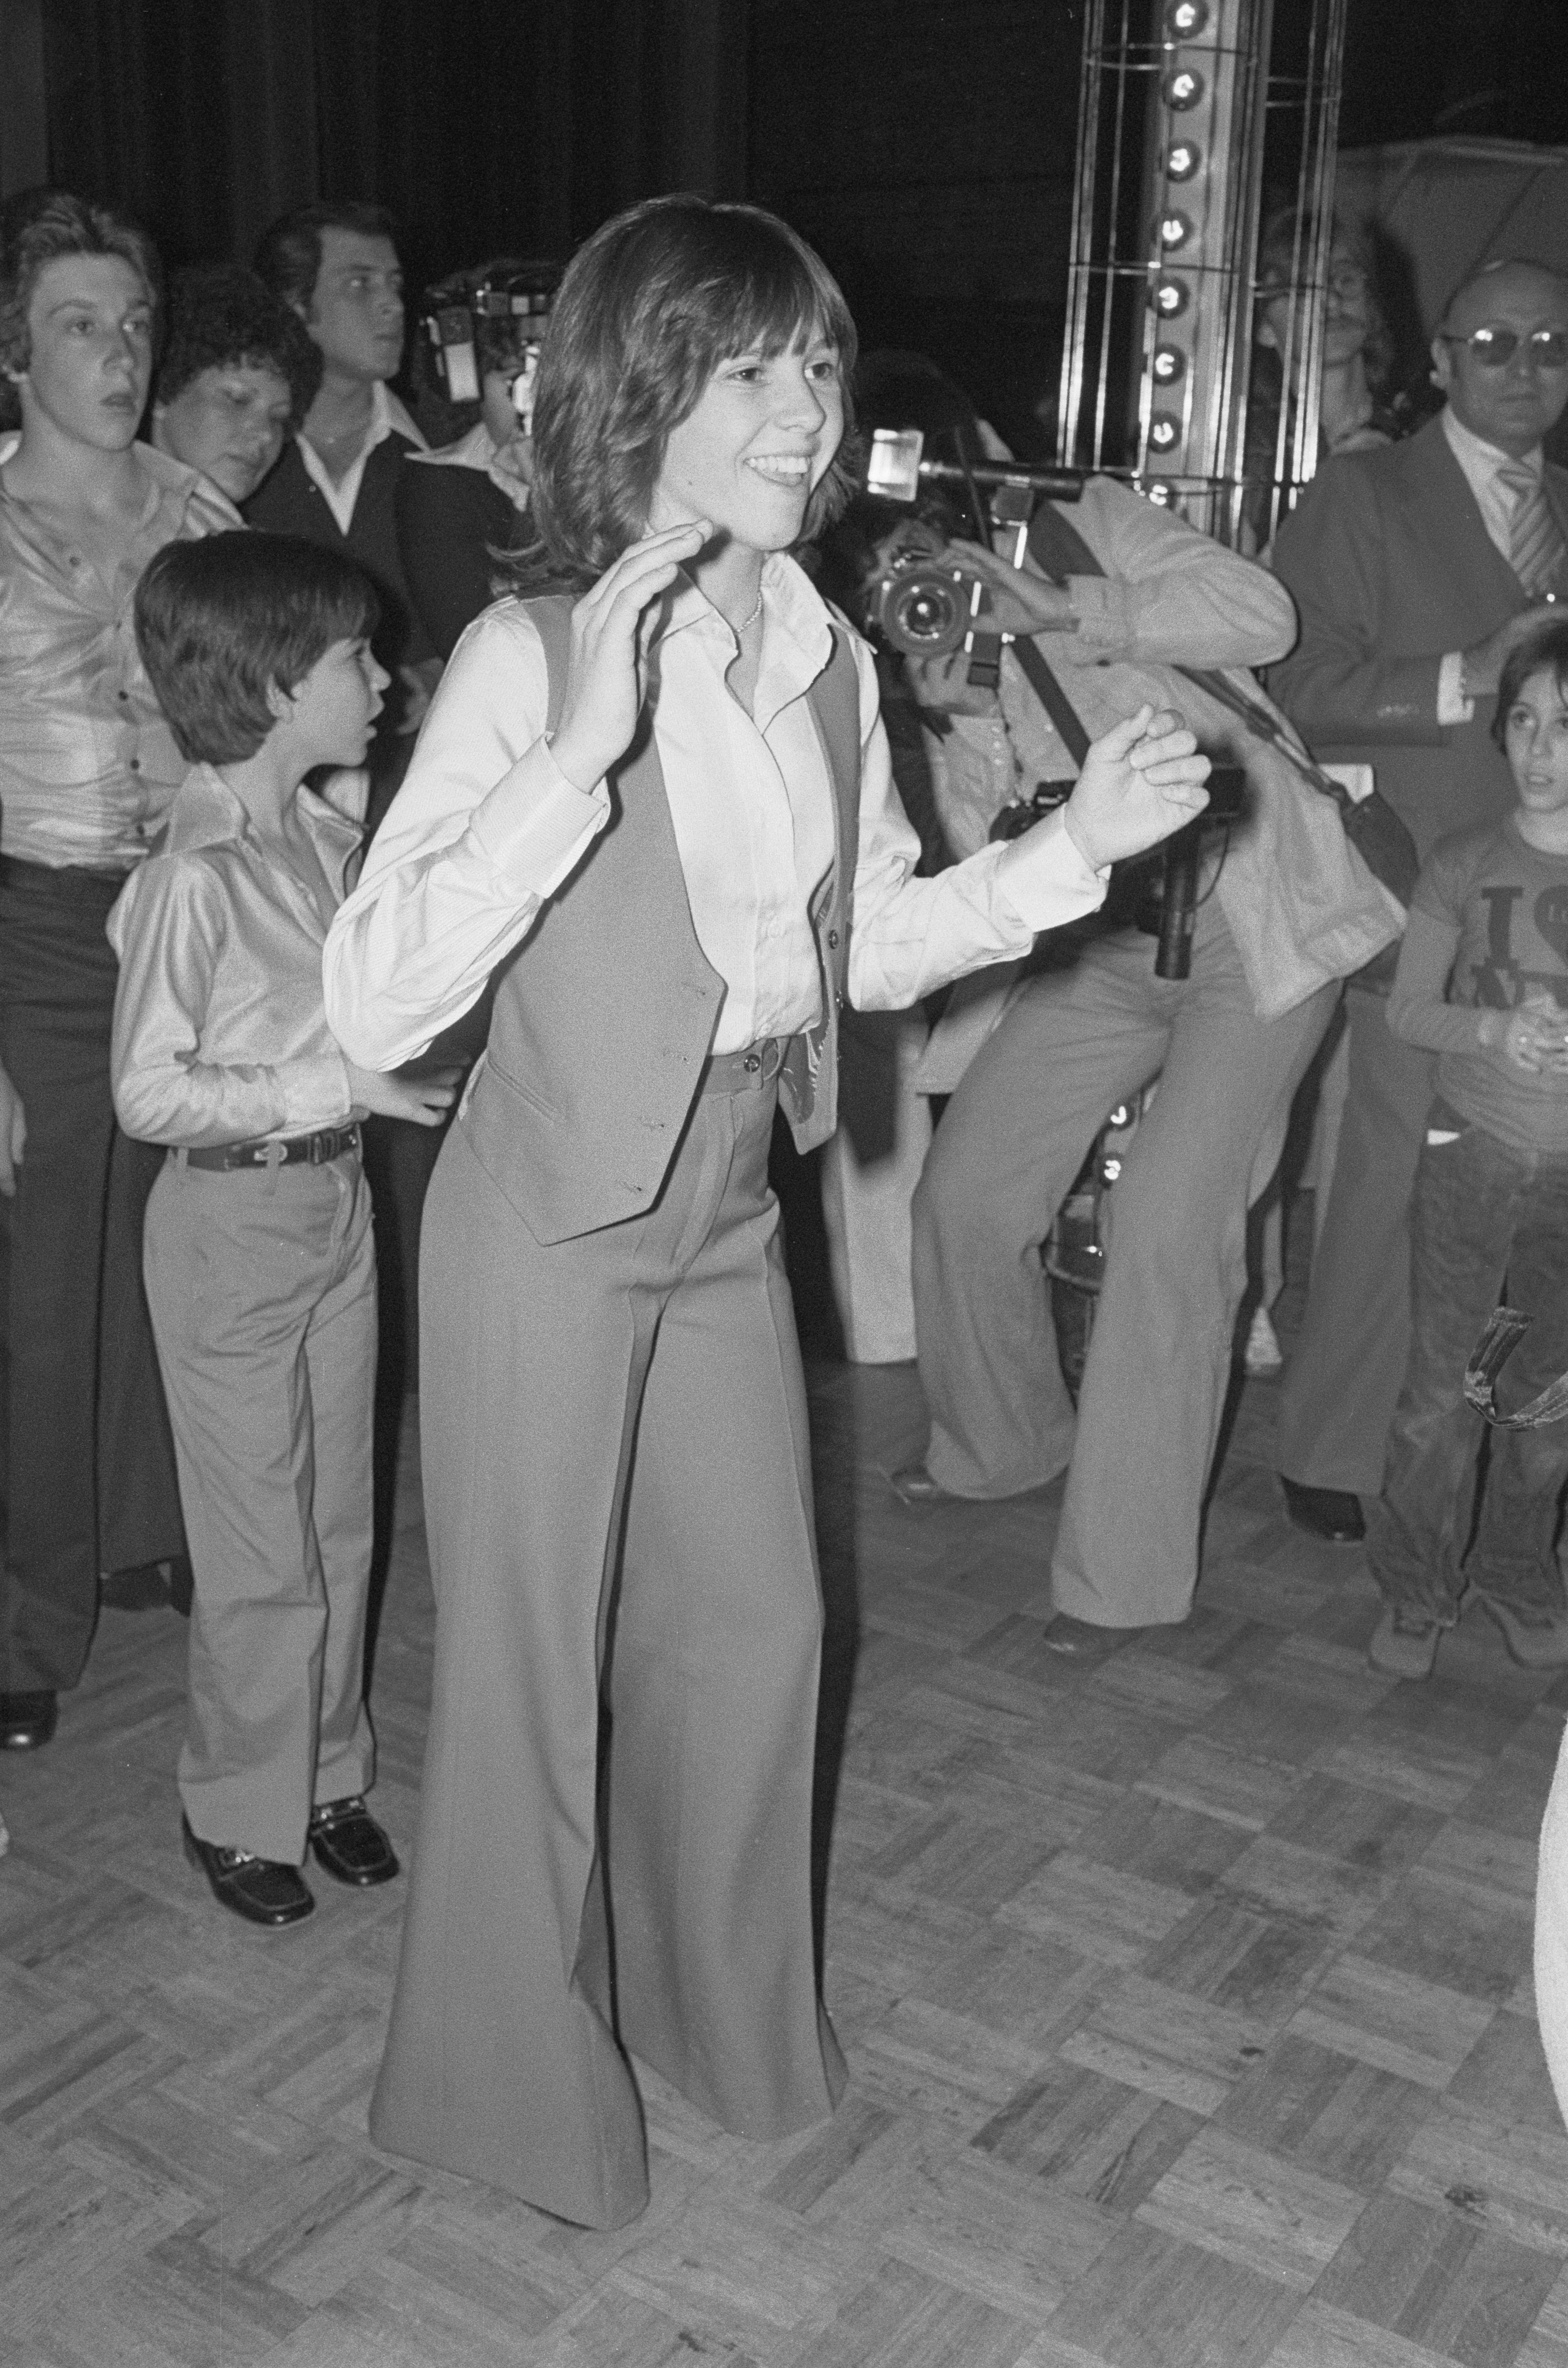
(1003, 1162)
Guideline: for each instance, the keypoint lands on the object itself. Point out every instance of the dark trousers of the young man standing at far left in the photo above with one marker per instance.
(86, 1462)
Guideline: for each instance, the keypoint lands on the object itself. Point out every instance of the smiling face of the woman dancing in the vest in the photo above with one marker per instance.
(757, 446)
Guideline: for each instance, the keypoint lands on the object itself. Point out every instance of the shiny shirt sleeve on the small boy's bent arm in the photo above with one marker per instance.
(167, 932)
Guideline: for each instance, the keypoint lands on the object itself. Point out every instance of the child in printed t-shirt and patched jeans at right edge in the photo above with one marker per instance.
(1484, 982)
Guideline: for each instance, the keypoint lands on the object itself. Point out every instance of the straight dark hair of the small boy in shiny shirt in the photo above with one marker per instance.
(224, 619)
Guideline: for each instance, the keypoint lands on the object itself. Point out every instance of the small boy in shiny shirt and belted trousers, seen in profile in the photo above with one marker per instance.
(259, 1259)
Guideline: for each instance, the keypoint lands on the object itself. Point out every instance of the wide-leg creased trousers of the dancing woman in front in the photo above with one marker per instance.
(615, 1829)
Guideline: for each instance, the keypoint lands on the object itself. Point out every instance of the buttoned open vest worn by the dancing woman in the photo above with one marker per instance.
(608, 1010)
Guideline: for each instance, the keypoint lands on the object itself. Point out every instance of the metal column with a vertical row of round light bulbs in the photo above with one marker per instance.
(1176, 115)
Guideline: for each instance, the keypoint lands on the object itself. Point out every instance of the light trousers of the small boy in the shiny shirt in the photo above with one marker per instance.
(264, 1304)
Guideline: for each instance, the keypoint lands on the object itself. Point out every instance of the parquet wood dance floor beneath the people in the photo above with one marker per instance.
(1185, 1986)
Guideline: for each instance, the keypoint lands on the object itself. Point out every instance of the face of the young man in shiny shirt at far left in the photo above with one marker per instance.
(91, 352)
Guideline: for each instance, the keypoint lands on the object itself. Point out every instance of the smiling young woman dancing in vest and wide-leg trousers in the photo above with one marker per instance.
(660, 816)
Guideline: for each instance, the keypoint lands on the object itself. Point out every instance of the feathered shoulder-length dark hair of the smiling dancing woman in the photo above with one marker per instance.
(648, 311)
